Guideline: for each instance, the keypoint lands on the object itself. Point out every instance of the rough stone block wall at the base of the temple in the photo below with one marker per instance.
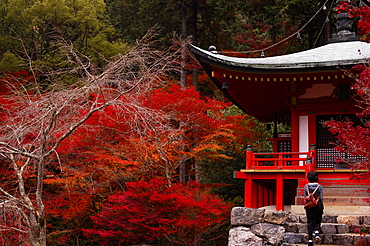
(260, 227)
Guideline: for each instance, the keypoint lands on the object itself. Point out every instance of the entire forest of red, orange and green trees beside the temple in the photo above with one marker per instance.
(110, 132)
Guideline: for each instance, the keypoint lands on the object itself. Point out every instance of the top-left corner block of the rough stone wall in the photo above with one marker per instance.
(246, 216)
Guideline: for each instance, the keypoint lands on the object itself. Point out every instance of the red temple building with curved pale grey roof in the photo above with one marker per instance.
(303, 89)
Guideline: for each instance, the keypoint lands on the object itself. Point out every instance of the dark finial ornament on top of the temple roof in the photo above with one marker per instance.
(343, 25)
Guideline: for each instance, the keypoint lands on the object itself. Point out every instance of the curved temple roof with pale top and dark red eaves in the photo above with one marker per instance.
(267, 87)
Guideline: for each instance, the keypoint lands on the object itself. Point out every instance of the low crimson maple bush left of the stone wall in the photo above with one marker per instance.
(153, 211)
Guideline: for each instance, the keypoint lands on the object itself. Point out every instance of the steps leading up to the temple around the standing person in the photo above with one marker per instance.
(346, 214)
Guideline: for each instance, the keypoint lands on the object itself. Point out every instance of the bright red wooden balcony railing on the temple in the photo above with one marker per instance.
(281, 160)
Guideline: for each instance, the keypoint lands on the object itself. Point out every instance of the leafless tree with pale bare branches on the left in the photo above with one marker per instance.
(37, 123)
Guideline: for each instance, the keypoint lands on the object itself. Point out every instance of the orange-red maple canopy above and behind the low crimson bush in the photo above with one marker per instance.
(102, 156)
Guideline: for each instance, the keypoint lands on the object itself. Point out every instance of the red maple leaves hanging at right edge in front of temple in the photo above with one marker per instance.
(354, 138)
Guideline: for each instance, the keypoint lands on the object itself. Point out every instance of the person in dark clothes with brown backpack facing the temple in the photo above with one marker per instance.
(314, 215)
